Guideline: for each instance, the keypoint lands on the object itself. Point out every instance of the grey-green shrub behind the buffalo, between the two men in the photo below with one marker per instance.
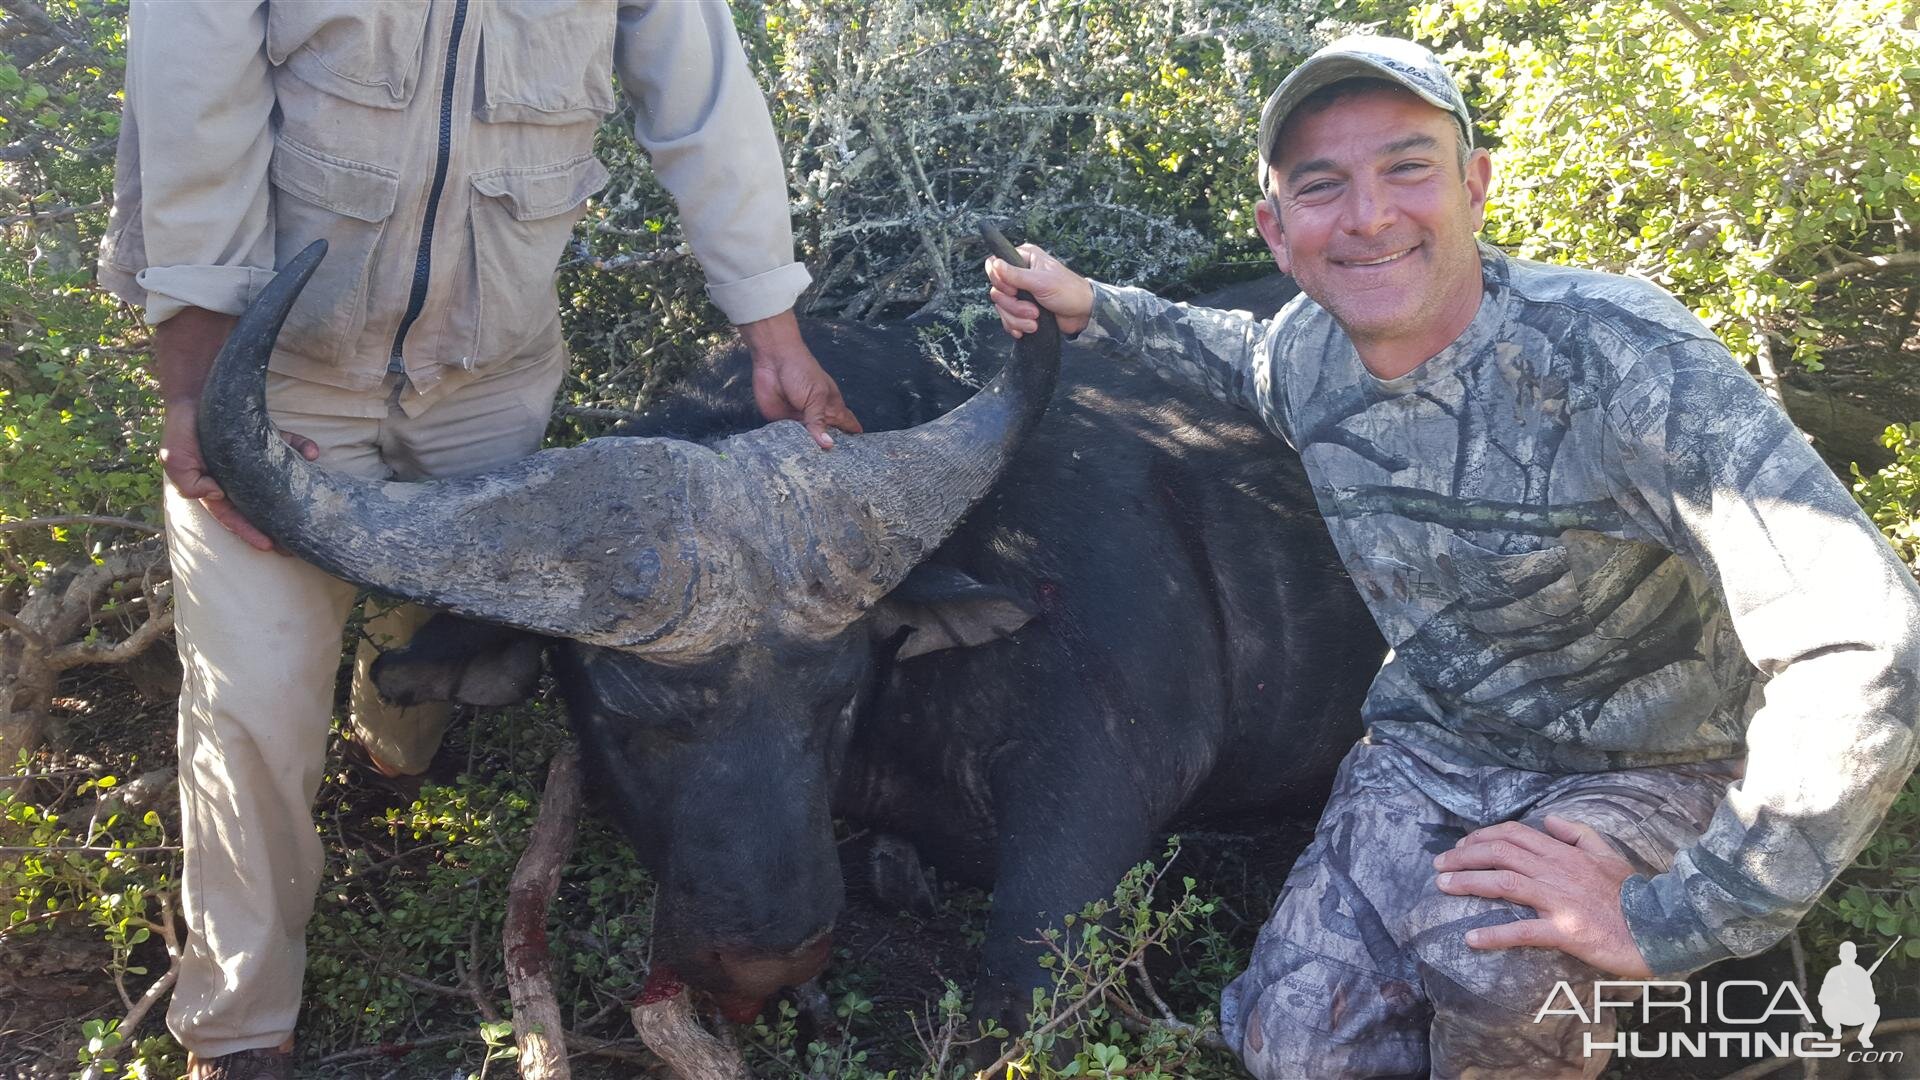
(1120, 135)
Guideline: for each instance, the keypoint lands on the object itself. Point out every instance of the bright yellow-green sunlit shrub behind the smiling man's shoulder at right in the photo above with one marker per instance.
(1752, 157)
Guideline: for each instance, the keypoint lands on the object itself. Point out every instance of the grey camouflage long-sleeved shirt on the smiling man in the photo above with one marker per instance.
(1595, 545)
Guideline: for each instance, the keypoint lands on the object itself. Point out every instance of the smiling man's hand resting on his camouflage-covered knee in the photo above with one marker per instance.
(1570, 875)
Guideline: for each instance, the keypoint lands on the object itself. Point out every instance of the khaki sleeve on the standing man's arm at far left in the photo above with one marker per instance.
(193, 216)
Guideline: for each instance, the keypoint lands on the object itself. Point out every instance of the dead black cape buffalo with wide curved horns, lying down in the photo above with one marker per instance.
(1028, 679)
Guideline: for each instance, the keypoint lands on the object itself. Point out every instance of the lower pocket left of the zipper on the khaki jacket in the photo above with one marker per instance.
(347, 205)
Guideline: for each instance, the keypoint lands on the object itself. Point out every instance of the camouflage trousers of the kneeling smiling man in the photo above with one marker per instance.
(1364, 968)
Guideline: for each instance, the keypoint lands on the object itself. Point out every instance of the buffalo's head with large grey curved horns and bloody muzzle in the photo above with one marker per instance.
(719, 610)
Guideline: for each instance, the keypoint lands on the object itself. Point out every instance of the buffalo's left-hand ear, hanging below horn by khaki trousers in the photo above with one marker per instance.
(466, 662)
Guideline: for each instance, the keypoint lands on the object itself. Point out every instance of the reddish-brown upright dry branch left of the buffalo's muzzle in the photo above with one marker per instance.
(537, 1016)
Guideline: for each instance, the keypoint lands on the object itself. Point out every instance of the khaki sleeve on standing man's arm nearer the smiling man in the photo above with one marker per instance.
(706, 126)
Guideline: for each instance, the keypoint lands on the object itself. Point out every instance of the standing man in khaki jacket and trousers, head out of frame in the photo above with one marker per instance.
(444, 153)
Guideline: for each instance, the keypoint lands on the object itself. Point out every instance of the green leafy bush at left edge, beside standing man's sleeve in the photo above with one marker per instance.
(78, 418)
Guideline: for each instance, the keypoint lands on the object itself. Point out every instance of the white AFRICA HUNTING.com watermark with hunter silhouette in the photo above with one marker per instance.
(1725, 1019)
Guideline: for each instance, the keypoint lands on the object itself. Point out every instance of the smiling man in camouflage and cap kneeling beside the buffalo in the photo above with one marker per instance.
(1654, 675)
